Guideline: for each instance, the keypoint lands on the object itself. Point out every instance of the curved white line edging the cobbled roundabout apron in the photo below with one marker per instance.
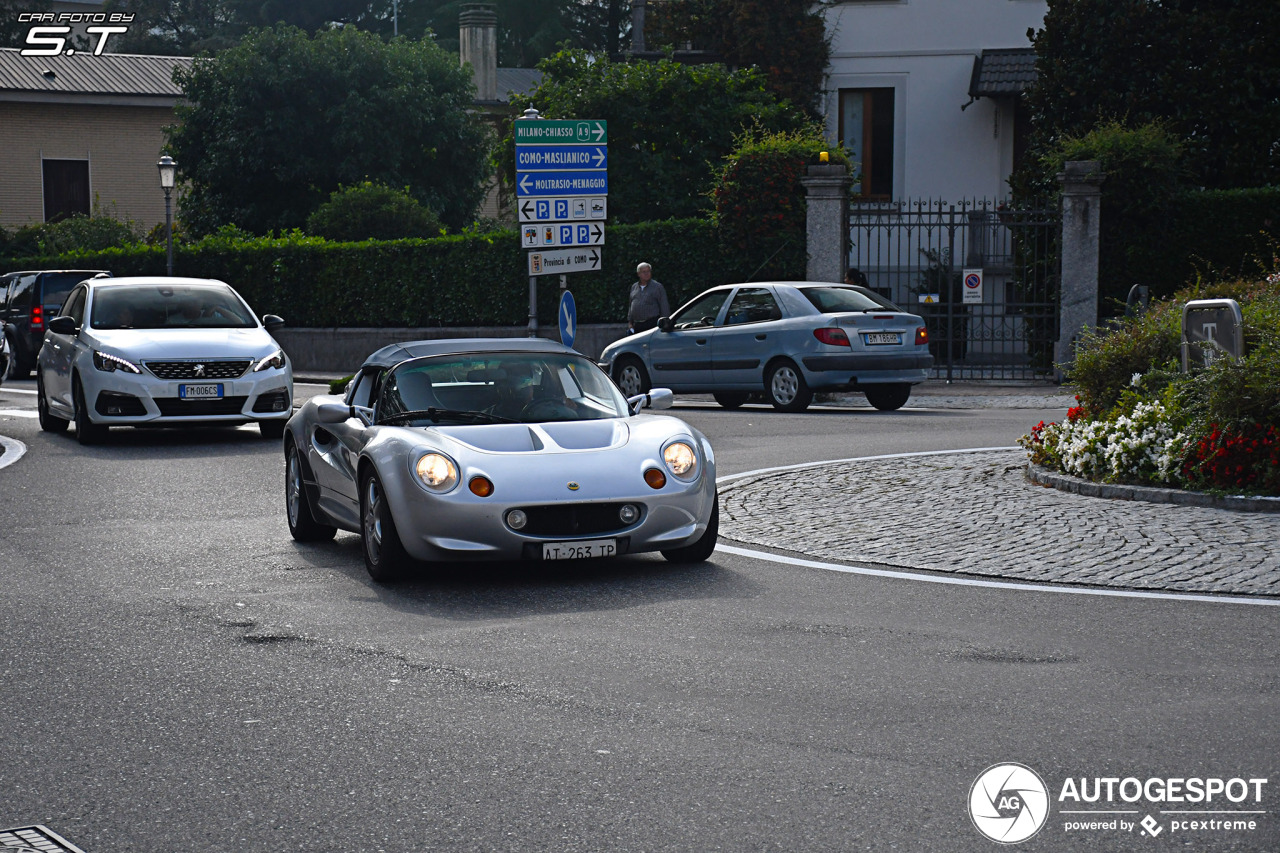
(959, 582)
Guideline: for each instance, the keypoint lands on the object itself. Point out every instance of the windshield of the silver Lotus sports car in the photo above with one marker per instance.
(499, 387)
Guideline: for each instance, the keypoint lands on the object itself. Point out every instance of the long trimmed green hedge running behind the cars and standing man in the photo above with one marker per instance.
(461, 281)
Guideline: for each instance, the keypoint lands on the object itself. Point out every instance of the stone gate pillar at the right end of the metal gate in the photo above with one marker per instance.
(1082, 208)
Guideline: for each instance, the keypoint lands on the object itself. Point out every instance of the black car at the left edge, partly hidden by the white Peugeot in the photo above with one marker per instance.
(29, 300)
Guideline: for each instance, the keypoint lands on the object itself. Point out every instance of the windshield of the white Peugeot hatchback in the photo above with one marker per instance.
(170, 307)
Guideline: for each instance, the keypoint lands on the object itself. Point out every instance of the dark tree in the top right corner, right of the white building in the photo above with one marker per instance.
(1206, 71)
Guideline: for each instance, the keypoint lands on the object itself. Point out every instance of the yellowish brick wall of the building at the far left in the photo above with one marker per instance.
(122, 145)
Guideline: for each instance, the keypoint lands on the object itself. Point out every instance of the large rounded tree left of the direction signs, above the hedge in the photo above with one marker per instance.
(273, 126)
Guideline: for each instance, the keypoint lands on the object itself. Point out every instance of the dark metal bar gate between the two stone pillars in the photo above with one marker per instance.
(999, 326)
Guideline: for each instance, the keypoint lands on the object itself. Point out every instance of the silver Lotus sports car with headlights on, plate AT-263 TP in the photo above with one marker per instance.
(515, 449)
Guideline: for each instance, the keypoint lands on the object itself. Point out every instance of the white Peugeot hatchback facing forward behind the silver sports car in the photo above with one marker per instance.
(161, 352)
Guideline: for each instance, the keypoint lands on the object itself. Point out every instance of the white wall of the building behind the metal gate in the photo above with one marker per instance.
(925, 51)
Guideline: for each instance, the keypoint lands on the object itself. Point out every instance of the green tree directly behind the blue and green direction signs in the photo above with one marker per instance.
(670, 125)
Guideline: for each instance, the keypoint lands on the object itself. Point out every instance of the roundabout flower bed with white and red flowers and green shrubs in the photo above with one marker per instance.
(1215, 430)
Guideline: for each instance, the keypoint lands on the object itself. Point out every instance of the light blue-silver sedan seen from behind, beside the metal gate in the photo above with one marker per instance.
(787, 340)
